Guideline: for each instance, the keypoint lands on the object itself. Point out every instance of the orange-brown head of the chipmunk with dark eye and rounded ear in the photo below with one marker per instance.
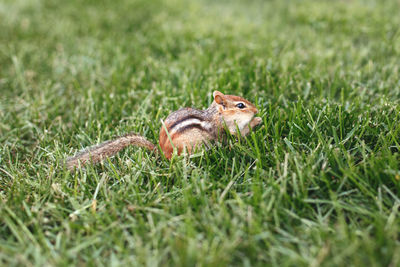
(236, 111)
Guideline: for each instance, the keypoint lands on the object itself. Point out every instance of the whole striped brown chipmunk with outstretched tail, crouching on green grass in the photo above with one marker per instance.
(183, 130)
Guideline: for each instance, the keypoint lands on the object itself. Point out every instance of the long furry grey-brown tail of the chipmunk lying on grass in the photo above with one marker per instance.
(109, 148)
